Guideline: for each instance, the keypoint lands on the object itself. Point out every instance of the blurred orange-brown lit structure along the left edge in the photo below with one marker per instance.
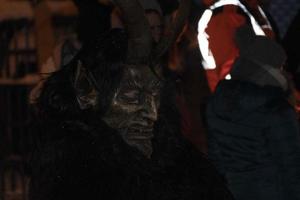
(29, 32)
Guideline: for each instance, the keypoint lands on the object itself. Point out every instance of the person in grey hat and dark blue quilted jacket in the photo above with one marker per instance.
(253, 135)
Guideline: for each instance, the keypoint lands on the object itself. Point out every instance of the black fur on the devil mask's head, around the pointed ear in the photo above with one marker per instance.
(104, 59)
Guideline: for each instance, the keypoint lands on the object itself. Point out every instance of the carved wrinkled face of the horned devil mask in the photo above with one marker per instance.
(134, 107)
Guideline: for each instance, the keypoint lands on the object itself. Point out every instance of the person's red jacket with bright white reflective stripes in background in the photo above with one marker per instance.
(216, 31)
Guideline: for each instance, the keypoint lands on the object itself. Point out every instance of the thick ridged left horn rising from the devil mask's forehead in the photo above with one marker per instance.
(139, 34)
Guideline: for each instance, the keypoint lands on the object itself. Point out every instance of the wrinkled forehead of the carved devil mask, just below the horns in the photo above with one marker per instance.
(142, 76)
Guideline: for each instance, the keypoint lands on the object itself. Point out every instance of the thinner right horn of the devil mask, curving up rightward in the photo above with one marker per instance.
(174, 30)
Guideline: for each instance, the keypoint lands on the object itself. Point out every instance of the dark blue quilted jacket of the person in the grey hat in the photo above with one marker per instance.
(254, 141)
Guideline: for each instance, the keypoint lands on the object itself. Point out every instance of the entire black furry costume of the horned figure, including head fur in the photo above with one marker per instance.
(81, 157)
